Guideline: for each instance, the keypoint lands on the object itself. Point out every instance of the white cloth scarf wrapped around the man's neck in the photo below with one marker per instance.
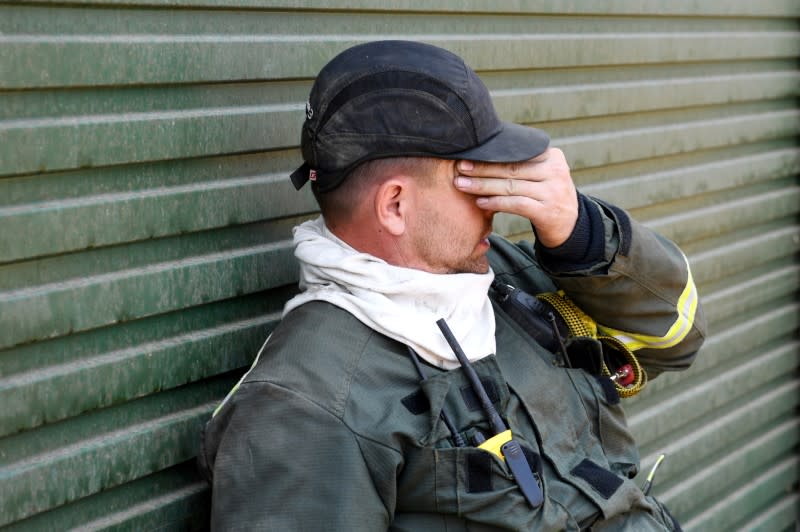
(401, 303)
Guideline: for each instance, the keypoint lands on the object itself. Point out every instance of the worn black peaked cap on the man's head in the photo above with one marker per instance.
(401, 98)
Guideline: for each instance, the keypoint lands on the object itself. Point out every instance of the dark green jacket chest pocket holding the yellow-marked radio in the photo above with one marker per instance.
(465, 481)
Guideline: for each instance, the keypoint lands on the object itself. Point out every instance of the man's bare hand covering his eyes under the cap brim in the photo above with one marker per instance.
(540, 189)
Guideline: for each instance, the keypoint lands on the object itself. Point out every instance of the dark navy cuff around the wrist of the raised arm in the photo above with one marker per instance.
(584, 248)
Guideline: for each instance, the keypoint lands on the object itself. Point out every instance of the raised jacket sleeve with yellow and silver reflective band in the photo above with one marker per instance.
(637, 286)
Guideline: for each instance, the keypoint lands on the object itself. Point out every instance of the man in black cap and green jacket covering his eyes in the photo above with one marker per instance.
(340, 426)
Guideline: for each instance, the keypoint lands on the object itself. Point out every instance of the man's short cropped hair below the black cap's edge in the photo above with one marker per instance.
(336, 205)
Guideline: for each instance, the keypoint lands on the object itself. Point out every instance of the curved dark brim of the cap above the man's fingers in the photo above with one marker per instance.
(514, 143)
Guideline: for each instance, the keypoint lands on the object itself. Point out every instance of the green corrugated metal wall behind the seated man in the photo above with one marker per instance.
(145, 218)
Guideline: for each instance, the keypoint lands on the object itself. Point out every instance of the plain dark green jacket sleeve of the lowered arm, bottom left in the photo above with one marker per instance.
(278, 461)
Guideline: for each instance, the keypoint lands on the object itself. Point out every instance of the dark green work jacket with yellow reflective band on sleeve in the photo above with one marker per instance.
(332, 428)
